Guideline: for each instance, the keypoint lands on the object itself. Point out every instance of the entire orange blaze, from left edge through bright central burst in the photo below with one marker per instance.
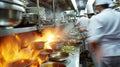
(16, 51)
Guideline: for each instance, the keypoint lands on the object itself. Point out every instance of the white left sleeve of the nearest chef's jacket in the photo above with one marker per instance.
(95, 30)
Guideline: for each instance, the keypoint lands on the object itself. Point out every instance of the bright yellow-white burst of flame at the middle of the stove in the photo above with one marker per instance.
(50, 35)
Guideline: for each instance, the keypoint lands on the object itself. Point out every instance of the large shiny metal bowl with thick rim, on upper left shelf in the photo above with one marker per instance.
(11, 12)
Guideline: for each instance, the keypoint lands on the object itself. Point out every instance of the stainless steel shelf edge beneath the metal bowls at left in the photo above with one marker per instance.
(4, 32)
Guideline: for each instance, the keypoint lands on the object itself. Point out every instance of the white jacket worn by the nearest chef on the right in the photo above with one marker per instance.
(105, 28)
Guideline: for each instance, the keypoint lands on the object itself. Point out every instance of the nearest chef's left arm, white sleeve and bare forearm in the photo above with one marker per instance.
(94, 33)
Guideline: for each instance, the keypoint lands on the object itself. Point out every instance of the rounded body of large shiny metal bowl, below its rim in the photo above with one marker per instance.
(10, 17)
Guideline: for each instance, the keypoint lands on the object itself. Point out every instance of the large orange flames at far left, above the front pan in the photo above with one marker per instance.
(11, 51)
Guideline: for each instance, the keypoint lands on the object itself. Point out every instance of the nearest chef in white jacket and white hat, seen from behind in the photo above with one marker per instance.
(104, 34)
